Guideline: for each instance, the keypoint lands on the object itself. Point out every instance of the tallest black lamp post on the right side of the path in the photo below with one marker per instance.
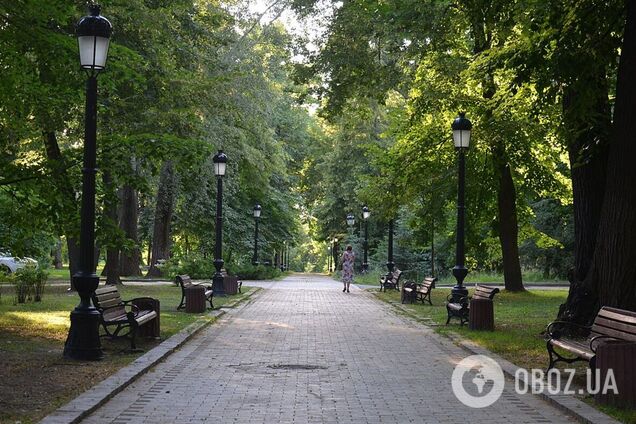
(461, 137)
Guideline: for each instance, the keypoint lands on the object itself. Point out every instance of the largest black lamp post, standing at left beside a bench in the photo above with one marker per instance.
(93, 35)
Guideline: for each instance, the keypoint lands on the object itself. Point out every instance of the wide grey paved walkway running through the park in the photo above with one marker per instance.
(302, 351)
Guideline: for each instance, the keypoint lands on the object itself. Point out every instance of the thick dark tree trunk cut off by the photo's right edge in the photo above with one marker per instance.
(614, 263)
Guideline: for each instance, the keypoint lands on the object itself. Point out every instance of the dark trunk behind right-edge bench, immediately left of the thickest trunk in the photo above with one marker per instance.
(588, 155)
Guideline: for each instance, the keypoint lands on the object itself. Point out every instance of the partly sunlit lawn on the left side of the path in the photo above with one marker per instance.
(36, 379)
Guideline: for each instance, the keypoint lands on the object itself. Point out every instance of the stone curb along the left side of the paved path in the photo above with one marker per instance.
(87, 402)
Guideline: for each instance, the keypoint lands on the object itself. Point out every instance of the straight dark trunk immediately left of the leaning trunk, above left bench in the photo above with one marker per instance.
(130, 260)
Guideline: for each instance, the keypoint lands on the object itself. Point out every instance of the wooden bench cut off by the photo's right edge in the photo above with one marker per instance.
(610, 325)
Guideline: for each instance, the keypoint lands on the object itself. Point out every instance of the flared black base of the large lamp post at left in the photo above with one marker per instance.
(83, 341)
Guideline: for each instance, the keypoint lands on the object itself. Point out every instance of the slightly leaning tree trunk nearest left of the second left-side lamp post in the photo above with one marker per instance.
(163, 216)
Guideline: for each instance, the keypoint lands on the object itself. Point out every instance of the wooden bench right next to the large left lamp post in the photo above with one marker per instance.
(122, 318)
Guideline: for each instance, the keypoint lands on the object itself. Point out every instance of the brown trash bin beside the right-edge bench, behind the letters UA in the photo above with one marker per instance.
(619, 357)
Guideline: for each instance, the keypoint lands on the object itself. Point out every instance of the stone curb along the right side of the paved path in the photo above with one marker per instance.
(579, 410)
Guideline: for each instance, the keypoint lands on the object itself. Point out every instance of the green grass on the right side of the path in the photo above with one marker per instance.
(520, 319)
